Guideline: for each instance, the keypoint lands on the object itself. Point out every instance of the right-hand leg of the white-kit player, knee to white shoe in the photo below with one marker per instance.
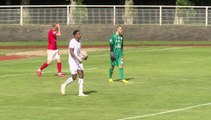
(81, 83)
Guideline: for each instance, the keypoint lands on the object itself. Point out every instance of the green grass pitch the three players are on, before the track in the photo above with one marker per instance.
(162, 79)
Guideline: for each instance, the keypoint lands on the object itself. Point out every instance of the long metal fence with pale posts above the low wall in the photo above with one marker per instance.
(106, 14)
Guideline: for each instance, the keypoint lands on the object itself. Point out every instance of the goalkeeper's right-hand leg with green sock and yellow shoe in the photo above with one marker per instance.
(121, 70)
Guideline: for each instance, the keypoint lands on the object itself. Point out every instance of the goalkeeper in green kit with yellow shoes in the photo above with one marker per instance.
(116, 54)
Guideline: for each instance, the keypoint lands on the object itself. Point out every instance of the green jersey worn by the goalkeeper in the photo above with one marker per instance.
(116, 44)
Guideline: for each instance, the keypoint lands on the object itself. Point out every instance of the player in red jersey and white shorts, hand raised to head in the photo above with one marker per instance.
(52, 51)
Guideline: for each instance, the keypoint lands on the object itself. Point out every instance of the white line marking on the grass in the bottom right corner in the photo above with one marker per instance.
(165, 112)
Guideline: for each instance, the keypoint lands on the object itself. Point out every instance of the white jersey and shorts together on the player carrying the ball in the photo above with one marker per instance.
(74, 64)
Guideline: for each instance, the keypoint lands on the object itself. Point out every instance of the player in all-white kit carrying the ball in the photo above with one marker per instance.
(75, 64)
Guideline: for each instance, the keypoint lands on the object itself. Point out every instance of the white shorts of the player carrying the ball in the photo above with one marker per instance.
(74, 66)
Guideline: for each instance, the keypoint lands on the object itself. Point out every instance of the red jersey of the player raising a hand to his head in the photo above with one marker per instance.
(52, 40)
